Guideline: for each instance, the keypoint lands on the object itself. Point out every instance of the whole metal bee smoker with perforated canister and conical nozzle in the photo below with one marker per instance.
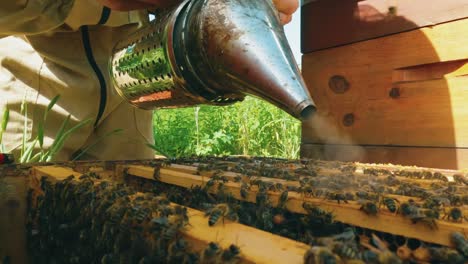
(210, 52)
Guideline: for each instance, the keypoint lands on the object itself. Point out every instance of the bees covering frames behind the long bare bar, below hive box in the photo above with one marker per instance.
(398, 192)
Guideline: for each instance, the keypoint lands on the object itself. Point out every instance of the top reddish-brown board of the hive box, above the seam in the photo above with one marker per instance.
(331, 23)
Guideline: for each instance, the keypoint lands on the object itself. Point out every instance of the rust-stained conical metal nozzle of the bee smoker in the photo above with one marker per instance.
(239, 45)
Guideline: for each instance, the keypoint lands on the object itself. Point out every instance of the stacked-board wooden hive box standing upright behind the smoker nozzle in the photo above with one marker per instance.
(389, 79)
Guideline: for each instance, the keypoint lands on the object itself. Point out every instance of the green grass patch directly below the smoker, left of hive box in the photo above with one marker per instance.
(253, 127)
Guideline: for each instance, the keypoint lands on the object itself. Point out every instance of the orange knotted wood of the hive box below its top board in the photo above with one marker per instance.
(405, 90)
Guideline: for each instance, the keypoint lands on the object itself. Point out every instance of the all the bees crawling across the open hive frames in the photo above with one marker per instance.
(89, 220)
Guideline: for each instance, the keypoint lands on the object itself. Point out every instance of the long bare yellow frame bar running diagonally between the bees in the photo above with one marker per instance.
(347, 213)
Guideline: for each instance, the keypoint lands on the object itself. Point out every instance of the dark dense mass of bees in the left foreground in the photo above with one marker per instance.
(88, 220)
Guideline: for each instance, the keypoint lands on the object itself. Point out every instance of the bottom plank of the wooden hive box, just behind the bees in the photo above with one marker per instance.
(447, 158)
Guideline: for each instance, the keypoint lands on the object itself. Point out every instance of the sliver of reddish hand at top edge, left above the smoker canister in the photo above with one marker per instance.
(127, 5)
